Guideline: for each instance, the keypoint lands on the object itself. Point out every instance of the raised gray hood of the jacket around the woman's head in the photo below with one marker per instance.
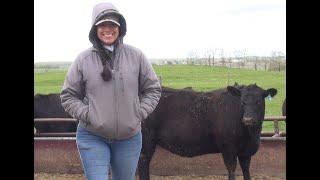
(101, 10)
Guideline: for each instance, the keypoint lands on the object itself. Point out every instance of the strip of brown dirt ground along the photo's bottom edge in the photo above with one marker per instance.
(46, 176)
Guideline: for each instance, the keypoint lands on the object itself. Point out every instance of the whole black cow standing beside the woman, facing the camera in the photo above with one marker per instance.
(227, 121)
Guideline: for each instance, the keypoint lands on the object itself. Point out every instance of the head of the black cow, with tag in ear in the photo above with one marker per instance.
(252, 99)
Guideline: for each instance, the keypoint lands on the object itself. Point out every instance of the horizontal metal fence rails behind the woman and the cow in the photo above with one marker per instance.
(71, 121)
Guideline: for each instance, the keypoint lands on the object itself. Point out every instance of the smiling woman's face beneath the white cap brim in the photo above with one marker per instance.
(108, 32)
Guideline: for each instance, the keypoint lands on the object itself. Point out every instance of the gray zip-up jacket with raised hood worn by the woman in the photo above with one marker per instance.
(112, 109)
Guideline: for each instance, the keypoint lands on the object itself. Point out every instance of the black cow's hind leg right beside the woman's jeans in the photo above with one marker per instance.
(148, 149)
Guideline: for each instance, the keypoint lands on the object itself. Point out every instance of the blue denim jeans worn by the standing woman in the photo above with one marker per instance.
(98, 154)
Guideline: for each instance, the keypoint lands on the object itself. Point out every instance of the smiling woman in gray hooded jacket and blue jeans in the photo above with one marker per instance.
(110, 88)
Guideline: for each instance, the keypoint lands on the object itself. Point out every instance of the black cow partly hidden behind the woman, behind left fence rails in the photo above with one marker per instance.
(49, 106)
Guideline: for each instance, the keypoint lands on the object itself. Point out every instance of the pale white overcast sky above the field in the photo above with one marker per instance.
(165, 28)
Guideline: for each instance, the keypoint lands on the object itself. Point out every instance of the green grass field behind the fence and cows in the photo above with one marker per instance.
(200, 78)
